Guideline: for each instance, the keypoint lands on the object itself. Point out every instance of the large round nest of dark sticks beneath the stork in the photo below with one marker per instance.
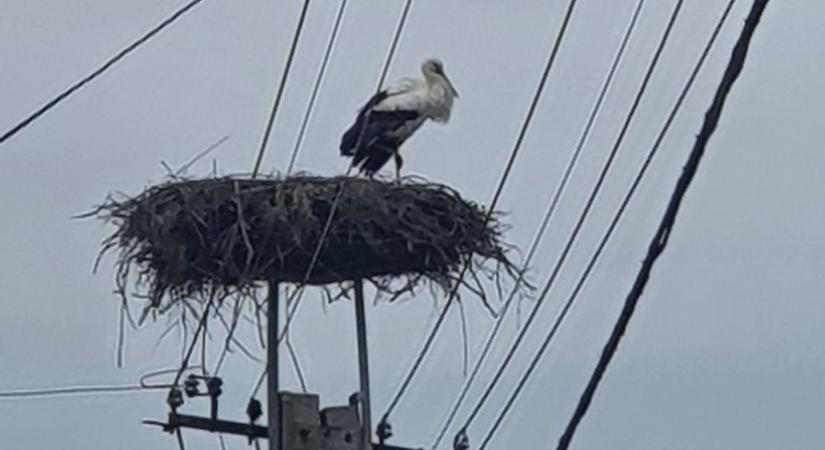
(195, 236)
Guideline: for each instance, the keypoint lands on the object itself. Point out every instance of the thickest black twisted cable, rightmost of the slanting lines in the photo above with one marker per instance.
(660, 239)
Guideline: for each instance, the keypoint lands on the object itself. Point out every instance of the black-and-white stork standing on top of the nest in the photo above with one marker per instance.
(393, 114)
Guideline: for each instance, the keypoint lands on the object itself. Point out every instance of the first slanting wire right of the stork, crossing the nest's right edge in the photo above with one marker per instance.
(505, 175)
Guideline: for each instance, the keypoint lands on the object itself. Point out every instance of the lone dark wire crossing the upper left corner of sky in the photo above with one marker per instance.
(99, 71)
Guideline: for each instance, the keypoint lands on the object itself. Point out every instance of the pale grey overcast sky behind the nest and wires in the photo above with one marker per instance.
(726, 350)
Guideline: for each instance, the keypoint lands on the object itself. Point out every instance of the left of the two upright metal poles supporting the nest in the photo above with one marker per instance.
(273, 404)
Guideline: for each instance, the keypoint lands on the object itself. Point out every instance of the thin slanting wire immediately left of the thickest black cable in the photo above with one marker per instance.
(614, 222)
